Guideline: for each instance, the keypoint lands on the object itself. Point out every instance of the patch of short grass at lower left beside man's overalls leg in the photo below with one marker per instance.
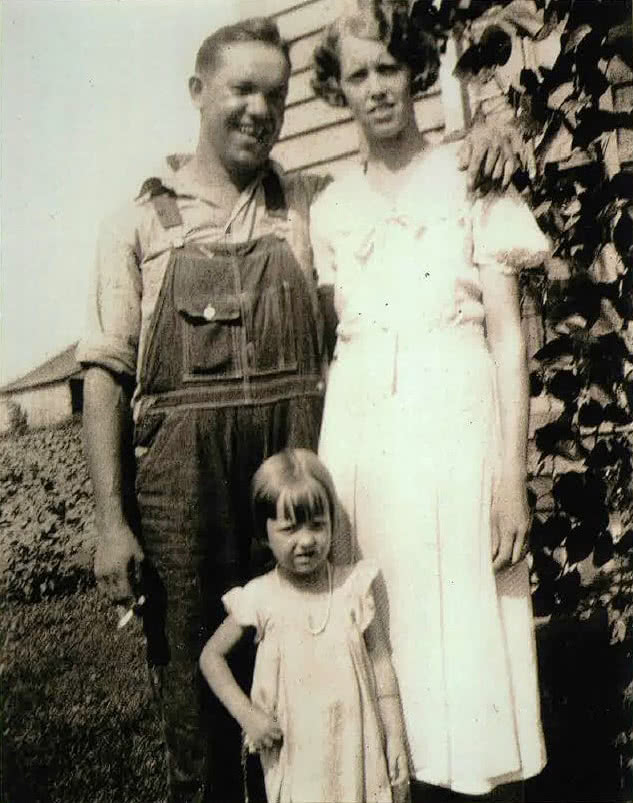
(79, 723)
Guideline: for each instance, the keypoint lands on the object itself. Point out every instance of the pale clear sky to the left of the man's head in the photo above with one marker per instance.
(93, 95)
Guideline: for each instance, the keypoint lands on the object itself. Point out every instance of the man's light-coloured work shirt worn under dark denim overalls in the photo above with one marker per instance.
(133, 252)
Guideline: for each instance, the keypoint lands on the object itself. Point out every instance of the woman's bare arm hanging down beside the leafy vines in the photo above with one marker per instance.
(511, 517)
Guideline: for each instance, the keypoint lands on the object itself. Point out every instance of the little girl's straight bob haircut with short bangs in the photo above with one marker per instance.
(295, 484)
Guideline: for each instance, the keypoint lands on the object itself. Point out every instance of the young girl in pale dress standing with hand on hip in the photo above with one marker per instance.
(324, 711)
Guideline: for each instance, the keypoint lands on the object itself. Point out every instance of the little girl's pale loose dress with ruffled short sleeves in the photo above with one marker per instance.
(321, 689)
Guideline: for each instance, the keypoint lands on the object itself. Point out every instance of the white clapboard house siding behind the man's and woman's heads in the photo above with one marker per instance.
(319, 138)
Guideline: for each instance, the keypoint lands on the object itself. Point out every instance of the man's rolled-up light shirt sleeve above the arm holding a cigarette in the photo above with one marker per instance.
(113, 317)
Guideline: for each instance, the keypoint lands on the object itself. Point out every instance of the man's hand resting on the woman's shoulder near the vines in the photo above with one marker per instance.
(490, 155)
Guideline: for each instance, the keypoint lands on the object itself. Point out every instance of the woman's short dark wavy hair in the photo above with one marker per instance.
(409, 35)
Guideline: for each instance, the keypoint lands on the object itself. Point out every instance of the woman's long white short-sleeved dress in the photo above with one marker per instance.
(410, 435)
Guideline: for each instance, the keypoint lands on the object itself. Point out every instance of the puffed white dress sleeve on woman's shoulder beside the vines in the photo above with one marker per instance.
(506, 235)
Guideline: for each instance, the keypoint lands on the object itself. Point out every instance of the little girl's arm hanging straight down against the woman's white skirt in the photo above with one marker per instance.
(389, 703)
